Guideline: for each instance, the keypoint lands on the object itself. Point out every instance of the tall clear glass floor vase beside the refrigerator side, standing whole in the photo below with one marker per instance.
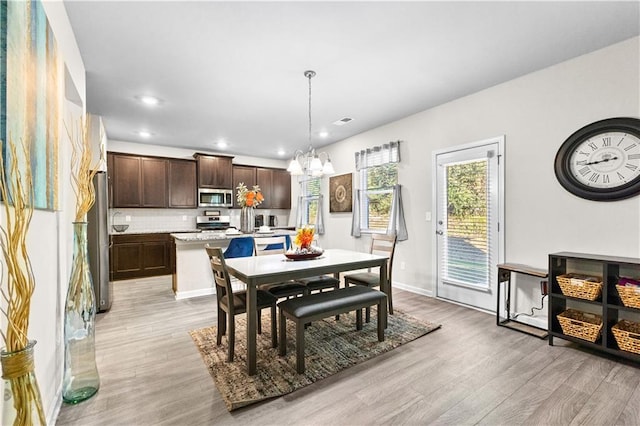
(81, 380)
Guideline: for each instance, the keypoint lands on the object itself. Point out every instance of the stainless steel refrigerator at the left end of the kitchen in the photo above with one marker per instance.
(98, 242)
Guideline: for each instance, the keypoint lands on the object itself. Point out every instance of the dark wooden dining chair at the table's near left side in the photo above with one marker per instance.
(232, 303)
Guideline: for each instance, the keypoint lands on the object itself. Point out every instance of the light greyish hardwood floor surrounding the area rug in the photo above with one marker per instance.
(468, 372)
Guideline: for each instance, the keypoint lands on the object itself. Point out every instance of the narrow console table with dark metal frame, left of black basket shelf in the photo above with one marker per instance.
(504, 276)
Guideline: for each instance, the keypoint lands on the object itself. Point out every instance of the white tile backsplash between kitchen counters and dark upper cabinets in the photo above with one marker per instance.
(174, 220)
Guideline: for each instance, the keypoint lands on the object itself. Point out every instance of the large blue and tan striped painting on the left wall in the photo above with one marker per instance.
(30, 94)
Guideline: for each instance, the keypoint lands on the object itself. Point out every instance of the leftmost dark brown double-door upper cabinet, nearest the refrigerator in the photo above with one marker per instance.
(137, 181)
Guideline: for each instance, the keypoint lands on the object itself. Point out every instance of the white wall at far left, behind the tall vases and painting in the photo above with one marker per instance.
(50, 233)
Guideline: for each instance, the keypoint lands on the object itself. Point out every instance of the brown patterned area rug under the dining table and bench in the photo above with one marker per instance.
(330, 347)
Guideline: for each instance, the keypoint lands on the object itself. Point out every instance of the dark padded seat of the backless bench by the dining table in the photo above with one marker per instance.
(343, 298)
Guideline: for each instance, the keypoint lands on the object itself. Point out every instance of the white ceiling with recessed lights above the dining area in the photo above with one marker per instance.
(233, 71)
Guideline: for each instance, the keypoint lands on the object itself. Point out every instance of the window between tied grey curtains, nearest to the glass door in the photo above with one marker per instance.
(376, 197)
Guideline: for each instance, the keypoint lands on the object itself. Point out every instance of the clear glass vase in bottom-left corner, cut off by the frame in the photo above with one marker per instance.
(21, 402)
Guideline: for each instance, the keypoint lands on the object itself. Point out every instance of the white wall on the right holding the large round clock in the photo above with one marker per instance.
(536, 113)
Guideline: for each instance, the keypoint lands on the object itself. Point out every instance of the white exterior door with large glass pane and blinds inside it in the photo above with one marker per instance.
(469, 211)
